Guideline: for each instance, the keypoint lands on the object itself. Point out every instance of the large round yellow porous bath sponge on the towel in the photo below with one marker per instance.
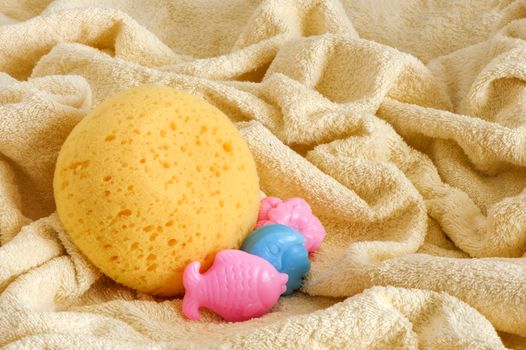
(152, 179)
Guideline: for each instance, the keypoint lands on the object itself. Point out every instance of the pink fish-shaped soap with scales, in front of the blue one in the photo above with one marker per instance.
(239, 286)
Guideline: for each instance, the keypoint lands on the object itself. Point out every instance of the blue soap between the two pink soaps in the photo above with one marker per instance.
(284, 248)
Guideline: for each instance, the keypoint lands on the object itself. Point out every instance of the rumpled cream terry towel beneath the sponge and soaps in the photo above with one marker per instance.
(403, 123)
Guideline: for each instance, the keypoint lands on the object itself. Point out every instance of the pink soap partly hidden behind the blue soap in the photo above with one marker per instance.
(295, 213)
